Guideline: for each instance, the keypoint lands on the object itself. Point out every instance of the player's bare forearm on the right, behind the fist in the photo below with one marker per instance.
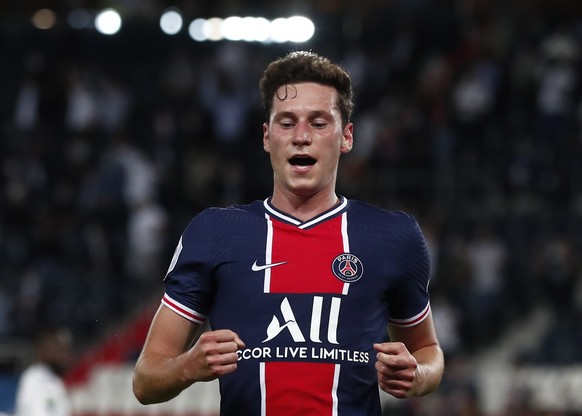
(429, 371)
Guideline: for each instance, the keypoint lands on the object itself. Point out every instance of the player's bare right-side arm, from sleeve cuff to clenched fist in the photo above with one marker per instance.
(412, 364)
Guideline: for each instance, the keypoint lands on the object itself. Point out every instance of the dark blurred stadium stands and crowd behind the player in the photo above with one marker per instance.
(114, 133)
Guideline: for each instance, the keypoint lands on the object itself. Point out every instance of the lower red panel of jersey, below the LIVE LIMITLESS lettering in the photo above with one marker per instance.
(299, 389)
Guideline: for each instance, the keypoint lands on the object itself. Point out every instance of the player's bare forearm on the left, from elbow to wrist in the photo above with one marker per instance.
(158, 379)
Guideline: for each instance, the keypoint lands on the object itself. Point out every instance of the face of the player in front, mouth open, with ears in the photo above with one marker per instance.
(305, 138)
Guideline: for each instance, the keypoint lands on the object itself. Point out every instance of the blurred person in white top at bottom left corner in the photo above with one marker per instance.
(41, 390)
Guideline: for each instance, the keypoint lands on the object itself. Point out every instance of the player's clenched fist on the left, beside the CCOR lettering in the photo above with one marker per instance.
(213, 355)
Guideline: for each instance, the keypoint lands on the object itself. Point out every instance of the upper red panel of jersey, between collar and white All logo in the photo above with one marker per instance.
(309, 255)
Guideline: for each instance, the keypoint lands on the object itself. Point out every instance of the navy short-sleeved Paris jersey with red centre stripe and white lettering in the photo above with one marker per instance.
(308, 298)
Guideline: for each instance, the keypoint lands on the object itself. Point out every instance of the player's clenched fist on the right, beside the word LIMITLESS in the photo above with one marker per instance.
(396, 368)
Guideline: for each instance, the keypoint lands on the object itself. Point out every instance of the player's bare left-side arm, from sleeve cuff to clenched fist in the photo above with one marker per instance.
(168, 363)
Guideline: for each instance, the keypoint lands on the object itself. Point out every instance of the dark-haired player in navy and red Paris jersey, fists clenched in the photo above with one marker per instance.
(298, 290)
